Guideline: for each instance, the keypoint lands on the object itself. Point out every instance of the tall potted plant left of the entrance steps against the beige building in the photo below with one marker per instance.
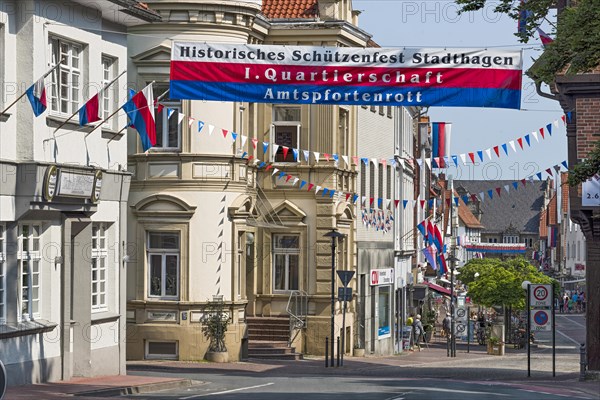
(214, 327)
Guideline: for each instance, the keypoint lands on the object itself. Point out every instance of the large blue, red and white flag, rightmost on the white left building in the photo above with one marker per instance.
(140, 109)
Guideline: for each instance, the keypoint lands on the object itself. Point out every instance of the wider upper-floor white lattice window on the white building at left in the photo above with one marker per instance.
(65, 95)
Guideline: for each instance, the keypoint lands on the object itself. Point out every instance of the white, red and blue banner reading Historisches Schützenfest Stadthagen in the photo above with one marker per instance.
(346, 75)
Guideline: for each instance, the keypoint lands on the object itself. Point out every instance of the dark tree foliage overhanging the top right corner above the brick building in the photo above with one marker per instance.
(576, 47)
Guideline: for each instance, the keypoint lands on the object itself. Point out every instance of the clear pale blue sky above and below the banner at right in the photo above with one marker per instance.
(399, 23)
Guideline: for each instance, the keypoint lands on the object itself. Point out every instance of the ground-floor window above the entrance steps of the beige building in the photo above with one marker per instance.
(286, 260)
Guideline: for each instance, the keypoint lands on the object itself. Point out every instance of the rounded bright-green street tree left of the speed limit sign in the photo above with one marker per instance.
(499, 282)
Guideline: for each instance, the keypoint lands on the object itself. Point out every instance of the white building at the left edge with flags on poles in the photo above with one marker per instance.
(64, 191)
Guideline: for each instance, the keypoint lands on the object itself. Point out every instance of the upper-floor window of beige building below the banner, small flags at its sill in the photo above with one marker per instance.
(286, 131)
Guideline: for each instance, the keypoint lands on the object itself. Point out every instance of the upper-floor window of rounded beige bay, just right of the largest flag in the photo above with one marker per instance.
(168, 128)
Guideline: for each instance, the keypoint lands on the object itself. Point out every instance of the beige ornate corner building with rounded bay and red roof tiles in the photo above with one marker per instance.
(204, 223)
